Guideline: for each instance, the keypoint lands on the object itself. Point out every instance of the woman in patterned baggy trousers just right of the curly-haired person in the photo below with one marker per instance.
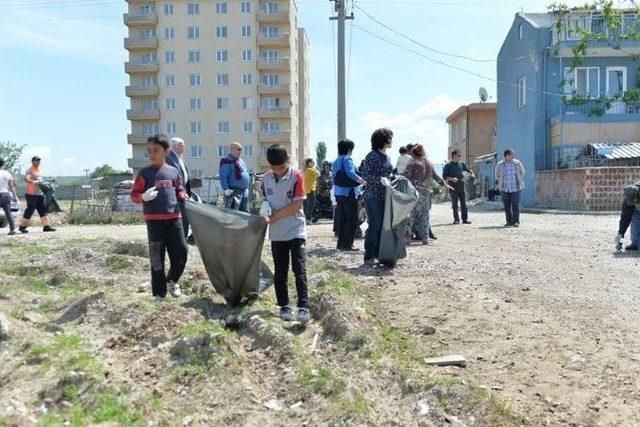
(422, 175)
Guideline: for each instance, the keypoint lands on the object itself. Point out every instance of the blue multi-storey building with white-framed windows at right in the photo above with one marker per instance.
(538, 88)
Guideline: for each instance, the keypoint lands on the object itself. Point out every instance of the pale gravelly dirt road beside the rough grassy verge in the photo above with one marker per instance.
(546, 314)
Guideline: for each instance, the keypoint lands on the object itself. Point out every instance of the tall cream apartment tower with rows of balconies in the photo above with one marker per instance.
(213, 72)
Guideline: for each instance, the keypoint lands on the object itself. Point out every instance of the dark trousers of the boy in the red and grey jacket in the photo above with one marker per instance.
(166, 236)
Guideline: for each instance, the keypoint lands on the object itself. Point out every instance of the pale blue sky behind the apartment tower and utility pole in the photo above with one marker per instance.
(62, 76)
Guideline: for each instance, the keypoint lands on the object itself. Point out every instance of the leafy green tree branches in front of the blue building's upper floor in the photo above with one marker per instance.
(613, 26)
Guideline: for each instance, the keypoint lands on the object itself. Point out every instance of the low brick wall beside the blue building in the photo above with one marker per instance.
(589, 189)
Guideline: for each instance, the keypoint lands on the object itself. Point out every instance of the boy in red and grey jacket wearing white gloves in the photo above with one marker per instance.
(159, 188)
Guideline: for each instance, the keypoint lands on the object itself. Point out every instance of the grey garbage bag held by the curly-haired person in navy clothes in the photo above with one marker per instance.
(400, 199)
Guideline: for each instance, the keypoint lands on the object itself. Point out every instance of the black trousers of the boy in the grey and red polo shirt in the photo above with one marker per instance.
(282, 251)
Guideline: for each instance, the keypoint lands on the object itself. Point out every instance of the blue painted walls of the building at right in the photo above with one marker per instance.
(528, 129)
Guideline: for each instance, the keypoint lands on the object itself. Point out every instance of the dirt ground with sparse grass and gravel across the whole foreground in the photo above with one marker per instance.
(545, 316)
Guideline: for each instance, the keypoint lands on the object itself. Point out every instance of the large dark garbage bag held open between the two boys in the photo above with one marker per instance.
(230, 243)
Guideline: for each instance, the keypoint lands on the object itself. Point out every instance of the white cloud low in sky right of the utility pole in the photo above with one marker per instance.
(425, 124)
